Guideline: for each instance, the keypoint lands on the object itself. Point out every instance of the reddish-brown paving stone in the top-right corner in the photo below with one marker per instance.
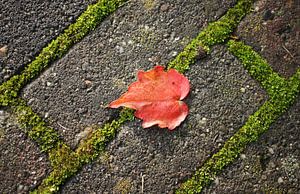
(273, 30)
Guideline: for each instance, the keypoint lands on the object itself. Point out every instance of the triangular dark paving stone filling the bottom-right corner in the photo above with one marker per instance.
(271, 165)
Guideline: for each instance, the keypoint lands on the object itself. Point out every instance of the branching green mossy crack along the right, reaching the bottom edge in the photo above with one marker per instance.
(282, 95)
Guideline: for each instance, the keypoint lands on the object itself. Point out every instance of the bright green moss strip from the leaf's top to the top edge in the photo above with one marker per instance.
(215, 33)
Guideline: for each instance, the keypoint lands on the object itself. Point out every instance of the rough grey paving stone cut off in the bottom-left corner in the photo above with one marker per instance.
(22, 165)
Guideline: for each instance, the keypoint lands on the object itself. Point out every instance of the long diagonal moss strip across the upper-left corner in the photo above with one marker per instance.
(58, 47)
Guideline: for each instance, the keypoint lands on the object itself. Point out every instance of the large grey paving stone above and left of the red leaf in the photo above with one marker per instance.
(74, 92)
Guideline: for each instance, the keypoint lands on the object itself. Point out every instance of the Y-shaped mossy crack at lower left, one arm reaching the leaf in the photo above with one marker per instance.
(64, 161)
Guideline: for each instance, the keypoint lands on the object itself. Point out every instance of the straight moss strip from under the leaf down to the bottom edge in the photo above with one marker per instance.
(66, 163)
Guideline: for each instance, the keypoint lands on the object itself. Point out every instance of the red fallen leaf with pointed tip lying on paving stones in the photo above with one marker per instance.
(157, 98)
